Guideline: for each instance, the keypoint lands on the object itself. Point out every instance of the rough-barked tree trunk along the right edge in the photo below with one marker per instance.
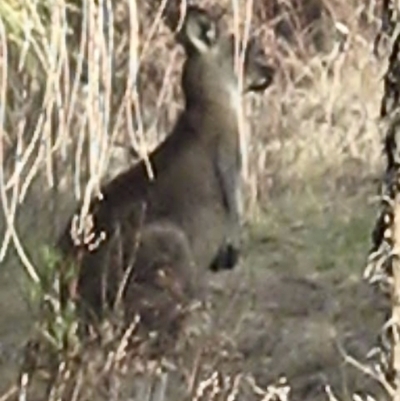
(384, 265)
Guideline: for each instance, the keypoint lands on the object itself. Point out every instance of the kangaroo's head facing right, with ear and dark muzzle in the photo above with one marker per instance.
(209, 74)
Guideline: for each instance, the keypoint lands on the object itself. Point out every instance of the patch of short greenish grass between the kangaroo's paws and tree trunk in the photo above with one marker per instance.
(312, 232)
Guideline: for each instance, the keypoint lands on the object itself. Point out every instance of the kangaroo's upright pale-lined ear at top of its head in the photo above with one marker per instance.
(199, 31)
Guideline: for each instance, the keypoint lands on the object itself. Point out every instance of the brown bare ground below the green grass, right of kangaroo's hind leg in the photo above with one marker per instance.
(295, 326)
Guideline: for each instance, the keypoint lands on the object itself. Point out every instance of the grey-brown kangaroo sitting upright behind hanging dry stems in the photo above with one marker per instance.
(193, 199)
